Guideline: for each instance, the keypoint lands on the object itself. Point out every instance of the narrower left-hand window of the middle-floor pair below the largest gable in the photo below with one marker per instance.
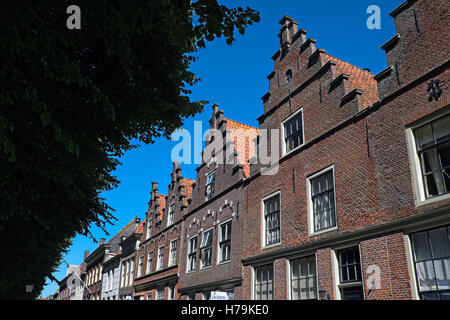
(272, 220)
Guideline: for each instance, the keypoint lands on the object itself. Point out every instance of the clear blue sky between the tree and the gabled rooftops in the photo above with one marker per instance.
(235, 78)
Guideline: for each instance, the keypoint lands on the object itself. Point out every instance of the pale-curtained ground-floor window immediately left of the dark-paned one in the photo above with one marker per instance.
(303, 278)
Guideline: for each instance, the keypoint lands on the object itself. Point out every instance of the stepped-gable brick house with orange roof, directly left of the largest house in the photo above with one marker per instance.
(211, 243)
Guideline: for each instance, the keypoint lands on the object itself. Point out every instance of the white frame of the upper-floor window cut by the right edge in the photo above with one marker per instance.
(416, 170)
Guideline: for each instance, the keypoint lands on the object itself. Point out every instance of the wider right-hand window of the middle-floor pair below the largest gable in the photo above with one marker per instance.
(322, 199)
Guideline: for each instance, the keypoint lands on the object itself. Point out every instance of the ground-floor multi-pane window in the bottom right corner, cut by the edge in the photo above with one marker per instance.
(432, 263)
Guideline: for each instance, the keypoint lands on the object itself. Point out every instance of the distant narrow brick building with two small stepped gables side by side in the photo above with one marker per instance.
(159, 252)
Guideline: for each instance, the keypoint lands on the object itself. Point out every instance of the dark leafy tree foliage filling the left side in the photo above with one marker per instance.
(72, 100)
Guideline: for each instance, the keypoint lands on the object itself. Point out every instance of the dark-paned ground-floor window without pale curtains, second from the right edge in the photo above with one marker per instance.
(350, 274)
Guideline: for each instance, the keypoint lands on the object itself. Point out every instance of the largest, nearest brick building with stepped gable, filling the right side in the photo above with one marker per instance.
(359, 208)
